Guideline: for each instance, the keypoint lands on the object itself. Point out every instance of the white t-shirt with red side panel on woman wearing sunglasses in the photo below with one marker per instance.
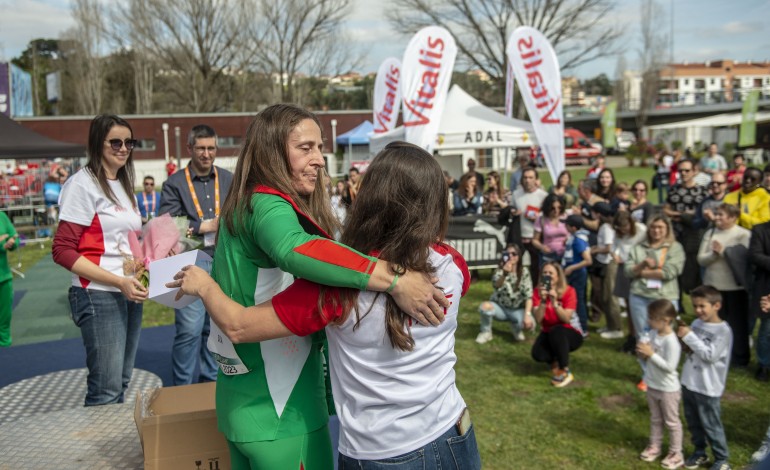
(105, 239)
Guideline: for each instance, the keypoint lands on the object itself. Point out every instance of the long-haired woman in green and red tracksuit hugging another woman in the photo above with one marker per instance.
(271, 396)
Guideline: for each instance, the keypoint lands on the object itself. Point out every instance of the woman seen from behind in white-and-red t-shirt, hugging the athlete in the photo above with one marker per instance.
(390, 376)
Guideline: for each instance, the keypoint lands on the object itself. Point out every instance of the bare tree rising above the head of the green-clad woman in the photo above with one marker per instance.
(299, 35)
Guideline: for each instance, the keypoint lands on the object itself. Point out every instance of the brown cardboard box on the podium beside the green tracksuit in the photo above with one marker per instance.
(178, 429)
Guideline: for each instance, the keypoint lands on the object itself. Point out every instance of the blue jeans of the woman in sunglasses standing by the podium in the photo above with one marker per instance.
(110, 325)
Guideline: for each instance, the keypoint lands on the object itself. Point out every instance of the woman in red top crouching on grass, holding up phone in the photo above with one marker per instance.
(555, 304)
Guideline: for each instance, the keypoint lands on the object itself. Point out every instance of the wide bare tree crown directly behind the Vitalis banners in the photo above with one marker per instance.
(576, 28)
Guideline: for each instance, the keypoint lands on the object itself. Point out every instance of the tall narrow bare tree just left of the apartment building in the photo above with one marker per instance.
(650, 56)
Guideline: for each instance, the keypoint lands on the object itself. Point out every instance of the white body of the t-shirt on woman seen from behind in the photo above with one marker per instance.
(389, 401)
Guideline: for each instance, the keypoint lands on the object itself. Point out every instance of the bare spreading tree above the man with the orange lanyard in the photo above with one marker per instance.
(193, 43)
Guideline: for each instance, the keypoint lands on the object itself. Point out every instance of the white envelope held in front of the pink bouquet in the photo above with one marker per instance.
(163, 271)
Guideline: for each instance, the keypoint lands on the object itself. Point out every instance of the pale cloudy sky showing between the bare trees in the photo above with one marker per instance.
(703, 30)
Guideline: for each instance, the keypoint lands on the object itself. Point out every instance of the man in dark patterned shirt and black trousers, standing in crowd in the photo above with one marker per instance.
(681, 205)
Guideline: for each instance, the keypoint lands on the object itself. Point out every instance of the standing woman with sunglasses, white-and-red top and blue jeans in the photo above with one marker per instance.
(98, 210)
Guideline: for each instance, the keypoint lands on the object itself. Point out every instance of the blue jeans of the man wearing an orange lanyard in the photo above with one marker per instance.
(192, 333)
